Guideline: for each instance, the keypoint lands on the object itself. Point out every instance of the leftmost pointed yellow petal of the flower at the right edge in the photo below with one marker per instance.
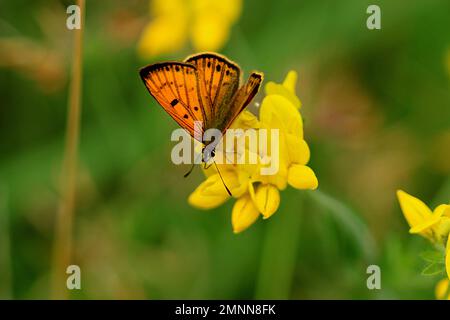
(415, 211)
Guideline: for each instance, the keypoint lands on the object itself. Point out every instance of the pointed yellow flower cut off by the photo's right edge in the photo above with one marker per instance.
(433, 225)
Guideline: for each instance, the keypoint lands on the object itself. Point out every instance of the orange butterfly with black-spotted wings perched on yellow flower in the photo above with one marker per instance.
(205, 87)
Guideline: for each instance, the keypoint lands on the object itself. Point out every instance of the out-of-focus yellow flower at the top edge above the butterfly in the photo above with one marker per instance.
(206, 23)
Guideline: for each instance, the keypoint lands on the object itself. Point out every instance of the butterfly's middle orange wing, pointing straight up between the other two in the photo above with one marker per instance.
(218, 83)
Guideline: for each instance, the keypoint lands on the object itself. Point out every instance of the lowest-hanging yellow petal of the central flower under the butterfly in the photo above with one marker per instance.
(244, 214)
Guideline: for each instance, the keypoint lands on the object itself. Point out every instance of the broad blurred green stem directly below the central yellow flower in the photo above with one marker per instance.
(279, 254)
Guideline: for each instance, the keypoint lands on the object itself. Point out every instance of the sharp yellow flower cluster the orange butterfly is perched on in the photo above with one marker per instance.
(259, 194)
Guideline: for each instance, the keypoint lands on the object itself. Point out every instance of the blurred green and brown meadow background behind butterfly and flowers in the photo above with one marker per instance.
(376, 106)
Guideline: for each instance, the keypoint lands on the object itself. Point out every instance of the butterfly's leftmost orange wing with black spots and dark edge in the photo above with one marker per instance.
(174, 85)
